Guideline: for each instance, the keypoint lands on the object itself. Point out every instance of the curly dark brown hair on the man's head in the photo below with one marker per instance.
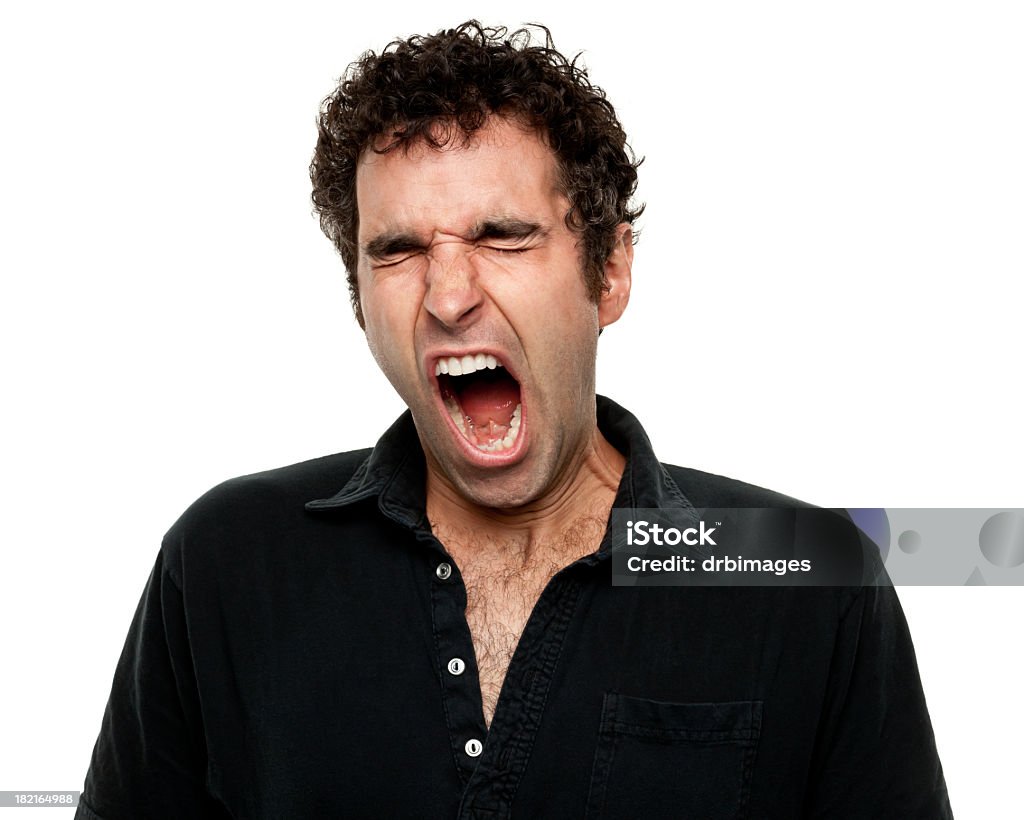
(439, 88)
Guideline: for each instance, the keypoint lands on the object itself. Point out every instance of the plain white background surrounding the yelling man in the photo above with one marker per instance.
(828, 273)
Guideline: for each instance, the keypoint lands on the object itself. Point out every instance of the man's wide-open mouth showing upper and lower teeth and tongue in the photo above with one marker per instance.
(483, 400)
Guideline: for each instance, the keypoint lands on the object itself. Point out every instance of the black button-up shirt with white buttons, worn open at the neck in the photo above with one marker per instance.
(303, 652)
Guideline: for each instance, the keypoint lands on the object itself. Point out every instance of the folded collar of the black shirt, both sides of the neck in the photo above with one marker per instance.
(396, 471)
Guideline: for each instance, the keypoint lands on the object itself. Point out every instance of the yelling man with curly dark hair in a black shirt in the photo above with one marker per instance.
(430, 629)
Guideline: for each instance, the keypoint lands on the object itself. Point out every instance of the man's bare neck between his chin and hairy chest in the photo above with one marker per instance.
(571, 516)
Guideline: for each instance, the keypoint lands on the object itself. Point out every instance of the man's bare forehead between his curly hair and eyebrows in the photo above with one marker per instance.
(503, 169)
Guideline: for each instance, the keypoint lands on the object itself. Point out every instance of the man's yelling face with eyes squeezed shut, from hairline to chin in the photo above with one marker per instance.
(477, 311)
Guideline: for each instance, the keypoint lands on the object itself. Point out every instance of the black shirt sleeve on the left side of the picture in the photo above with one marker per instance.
(150, 760)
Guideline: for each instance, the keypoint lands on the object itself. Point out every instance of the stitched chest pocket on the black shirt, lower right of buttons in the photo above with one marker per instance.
(680, 761)
